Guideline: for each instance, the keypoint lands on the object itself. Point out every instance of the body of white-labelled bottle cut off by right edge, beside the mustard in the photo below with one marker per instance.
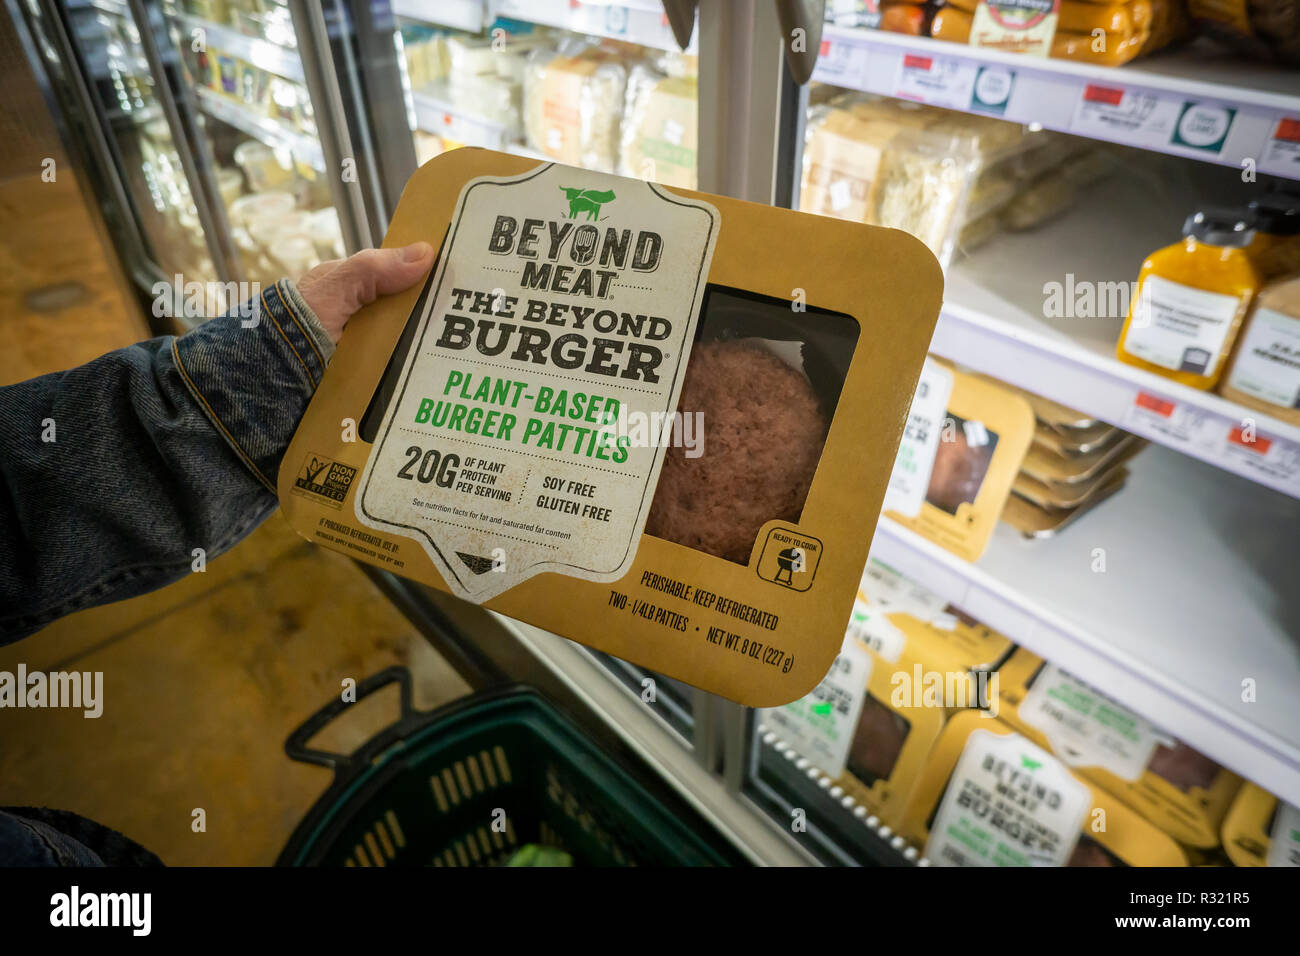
(1266, 370)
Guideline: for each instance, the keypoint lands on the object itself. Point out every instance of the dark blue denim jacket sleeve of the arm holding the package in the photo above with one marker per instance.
(114, 474)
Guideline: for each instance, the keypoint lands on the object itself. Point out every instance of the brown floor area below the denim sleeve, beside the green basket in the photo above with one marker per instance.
(202, 685)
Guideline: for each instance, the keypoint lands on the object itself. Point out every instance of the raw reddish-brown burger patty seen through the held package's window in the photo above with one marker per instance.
(762, 436)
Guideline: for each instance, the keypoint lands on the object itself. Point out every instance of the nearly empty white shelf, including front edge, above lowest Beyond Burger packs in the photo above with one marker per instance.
(1198, 596)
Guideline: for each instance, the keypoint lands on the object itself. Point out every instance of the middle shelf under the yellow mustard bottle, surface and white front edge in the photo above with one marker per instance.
(995, 322)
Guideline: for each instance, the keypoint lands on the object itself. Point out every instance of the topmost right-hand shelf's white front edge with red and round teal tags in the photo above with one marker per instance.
(1195, 102)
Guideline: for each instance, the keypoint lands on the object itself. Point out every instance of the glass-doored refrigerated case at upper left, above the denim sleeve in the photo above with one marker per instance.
(223, 133)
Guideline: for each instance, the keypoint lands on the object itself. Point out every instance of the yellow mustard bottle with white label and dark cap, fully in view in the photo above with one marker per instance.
(1190, 301)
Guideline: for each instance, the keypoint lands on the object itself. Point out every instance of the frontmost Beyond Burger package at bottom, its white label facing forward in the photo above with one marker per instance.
(989, 797)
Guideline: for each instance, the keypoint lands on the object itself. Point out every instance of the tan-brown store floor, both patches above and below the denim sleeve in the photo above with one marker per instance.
(202, 681)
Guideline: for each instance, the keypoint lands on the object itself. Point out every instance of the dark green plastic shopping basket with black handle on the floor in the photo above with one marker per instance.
(471, 784)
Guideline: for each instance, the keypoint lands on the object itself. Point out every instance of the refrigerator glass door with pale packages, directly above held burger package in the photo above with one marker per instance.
(595, 85)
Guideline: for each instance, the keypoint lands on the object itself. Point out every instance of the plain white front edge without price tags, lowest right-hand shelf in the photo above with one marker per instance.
(1220, 734)
